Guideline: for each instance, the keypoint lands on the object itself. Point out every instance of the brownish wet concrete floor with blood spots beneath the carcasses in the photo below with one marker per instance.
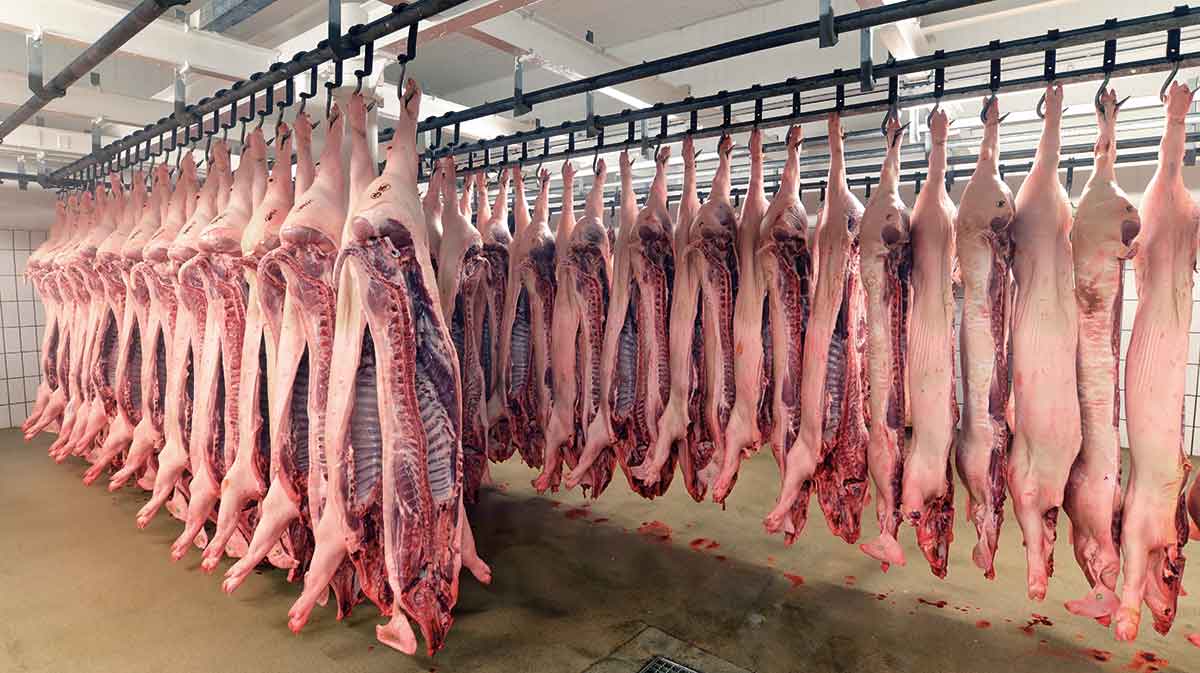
(577, 590)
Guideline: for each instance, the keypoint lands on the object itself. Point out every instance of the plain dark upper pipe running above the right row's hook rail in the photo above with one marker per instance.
(829, 27)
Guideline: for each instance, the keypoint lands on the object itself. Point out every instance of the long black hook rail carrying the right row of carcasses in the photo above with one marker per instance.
(653, 127)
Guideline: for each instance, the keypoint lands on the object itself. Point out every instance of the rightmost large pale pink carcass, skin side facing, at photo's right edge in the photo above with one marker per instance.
(1155, 525)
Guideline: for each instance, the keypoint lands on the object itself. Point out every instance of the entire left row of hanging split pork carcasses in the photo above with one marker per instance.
(200, 345)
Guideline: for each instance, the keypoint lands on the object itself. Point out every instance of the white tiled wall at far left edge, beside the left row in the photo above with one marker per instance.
(22, 322)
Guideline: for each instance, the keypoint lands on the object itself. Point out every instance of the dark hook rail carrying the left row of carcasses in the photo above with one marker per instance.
(136, 147)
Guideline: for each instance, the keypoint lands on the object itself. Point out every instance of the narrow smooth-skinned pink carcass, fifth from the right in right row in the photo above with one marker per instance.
(927, 494)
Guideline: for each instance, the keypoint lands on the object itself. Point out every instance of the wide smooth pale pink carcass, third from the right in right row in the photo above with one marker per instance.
(1046, 333)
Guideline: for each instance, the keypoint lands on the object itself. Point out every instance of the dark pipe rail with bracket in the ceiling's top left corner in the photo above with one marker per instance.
(109, 44)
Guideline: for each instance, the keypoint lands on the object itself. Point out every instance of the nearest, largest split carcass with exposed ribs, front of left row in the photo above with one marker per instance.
(395, 419)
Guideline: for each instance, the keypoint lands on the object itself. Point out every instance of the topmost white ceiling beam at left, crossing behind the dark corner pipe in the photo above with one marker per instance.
(83, 22)
